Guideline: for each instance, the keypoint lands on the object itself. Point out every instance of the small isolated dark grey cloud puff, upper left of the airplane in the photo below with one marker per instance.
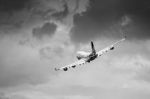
(47, 29)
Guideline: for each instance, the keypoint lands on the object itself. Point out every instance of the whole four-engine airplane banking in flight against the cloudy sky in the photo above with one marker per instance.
(87, 57)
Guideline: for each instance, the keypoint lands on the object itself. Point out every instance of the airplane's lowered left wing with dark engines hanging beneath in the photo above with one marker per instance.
(73, 65)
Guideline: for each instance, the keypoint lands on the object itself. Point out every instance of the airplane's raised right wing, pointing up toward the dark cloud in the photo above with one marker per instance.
(111, 47)
